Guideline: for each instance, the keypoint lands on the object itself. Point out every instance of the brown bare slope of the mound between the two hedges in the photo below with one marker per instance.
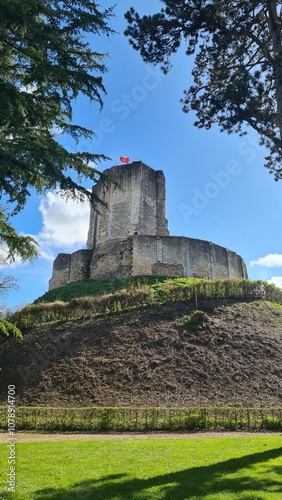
(150, 357)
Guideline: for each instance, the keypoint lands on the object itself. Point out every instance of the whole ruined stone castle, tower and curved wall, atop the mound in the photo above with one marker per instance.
(130, 237)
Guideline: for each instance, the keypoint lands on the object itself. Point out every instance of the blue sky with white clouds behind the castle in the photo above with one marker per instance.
(217, 187)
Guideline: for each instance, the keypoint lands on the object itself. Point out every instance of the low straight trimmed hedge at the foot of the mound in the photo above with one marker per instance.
(145, 419)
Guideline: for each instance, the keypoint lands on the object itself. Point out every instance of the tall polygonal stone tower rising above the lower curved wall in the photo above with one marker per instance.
(136, 206)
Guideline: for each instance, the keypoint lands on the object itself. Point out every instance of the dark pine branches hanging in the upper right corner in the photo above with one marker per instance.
(237, 67)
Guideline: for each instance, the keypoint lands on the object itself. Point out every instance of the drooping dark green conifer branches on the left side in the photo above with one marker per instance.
(46, 62)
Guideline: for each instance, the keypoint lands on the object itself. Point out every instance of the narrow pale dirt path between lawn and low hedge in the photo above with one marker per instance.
(29, 437)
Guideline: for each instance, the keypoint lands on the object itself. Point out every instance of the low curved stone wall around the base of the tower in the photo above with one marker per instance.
(149, 255)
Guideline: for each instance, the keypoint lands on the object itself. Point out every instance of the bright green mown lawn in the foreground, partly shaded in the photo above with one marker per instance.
(223, 468)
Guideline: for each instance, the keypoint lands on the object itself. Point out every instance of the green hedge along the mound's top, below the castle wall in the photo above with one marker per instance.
(139, 294)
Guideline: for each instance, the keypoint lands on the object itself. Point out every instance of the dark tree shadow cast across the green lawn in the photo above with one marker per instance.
(182, 485)
